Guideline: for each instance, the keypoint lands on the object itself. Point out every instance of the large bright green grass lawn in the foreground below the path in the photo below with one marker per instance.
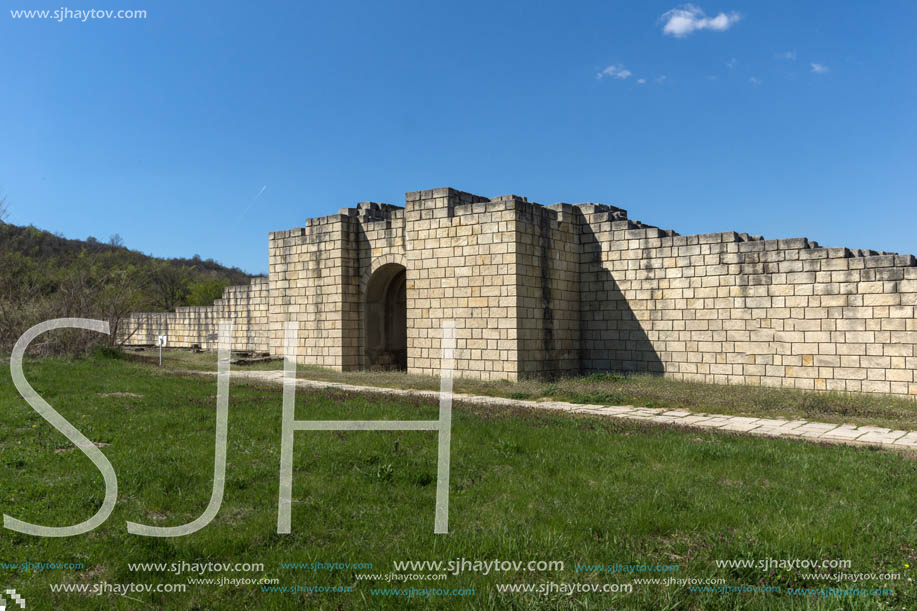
(525, 485)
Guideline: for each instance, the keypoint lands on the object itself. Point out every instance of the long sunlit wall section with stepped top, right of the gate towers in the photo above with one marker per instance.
(733, 308)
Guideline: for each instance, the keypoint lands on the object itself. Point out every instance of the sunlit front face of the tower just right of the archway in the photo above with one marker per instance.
(461, 265)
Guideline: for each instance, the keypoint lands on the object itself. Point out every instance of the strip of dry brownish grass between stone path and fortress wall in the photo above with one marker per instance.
(608, 389)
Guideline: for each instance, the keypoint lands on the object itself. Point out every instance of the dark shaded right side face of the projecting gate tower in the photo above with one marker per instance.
(547, 257)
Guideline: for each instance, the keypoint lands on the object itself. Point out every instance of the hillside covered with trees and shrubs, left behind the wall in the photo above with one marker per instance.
(45, 275)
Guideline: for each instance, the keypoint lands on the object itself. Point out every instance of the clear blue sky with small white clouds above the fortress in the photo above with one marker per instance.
(201, 128)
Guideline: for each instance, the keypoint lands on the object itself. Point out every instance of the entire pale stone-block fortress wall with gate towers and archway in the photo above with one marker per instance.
(568, 289)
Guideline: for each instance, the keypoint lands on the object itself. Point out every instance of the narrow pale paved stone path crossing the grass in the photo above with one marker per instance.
(794, 429)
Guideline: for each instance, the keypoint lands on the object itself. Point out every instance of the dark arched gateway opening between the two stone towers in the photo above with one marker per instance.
(386, 318)
